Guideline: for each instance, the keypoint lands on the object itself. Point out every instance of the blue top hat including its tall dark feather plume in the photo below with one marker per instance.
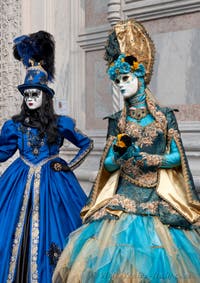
(36, 51)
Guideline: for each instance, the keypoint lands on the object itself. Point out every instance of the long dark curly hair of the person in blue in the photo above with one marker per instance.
(43, 118)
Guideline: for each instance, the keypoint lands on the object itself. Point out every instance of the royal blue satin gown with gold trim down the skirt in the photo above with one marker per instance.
(39, 207)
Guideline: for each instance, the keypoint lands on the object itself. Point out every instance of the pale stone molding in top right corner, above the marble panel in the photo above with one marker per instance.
(153, 9)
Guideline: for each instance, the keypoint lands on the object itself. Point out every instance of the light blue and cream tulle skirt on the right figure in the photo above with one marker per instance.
(131, 249)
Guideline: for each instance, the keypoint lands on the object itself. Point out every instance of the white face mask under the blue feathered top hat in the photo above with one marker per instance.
(33, 98)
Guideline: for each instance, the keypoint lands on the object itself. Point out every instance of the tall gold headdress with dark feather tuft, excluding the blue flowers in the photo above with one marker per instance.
(132, 40)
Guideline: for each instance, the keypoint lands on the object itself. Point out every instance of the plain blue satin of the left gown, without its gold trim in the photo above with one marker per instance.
(60, 195)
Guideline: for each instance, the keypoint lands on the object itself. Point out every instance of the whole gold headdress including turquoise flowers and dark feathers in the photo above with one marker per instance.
(128, 47)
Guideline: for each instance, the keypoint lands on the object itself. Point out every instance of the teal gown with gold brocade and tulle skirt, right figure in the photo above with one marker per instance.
(134, 235)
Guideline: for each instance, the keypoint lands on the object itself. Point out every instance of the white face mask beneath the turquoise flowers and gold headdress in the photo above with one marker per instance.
(127, 84)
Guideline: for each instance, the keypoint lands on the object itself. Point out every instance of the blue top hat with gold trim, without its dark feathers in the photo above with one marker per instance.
(36, 77)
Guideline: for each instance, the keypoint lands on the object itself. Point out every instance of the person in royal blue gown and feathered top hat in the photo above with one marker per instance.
(40, 197)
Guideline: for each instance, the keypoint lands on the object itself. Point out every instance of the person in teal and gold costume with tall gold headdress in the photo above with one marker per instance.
(141, 223)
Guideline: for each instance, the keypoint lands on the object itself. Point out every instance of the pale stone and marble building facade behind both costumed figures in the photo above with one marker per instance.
(83, 91)
